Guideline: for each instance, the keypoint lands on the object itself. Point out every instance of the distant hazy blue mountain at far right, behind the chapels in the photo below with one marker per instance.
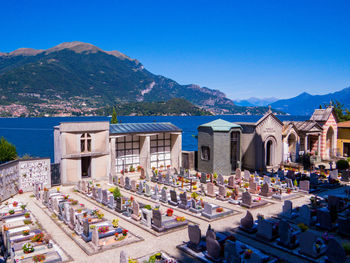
(305, 103)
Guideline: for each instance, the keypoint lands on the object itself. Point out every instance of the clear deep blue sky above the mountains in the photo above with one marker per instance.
(243, 48)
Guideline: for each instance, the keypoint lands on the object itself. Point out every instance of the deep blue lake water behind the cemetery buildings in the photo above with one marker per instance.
(34, 136)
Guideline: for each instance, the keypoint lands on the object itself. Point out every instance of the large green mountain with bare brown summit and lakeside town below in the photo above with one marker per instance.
(77, 76)
